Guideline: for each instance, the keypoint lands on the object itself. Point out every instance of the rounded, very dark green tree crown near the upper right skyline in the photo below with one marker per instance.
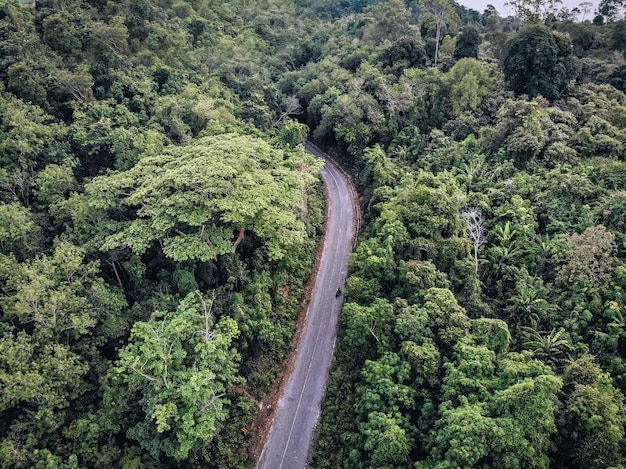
(538, 61)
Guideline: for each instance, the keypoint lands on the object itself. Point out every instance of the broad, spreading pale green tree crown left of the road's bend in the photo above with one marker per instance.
(197, 200)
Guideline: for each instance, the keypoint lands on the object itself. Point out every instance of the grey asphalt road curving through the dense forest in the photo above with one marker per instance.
(291, 434)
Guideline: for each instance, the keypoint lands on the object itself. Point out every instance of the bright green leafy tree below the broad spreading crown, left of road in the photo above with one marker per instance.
(182, 365)
